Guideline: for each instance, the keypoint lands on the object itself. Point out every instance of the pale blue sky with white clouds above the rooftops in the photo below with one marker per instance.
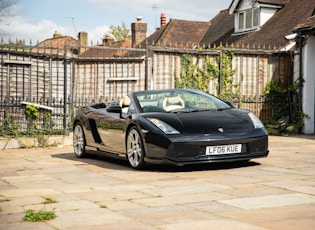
(37, 20)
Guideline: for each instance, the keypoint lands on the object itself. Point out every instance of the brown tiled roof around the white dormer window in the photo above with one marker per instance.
(272, 33)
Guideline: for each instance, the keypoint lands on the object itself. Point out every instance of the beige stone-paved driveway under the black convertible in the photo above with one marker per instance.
(277, 192)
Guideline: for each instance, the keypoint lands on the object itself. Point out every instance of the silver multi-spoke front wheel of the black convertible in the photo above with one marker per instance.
(135, 150)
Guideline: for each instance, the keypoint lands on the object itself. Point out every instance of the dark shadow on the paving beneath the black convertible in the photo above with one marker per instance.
(106, 162)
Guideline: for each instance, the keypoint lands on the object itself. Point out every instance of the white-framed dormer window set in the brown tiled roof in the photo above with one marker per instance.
(248, 20)
